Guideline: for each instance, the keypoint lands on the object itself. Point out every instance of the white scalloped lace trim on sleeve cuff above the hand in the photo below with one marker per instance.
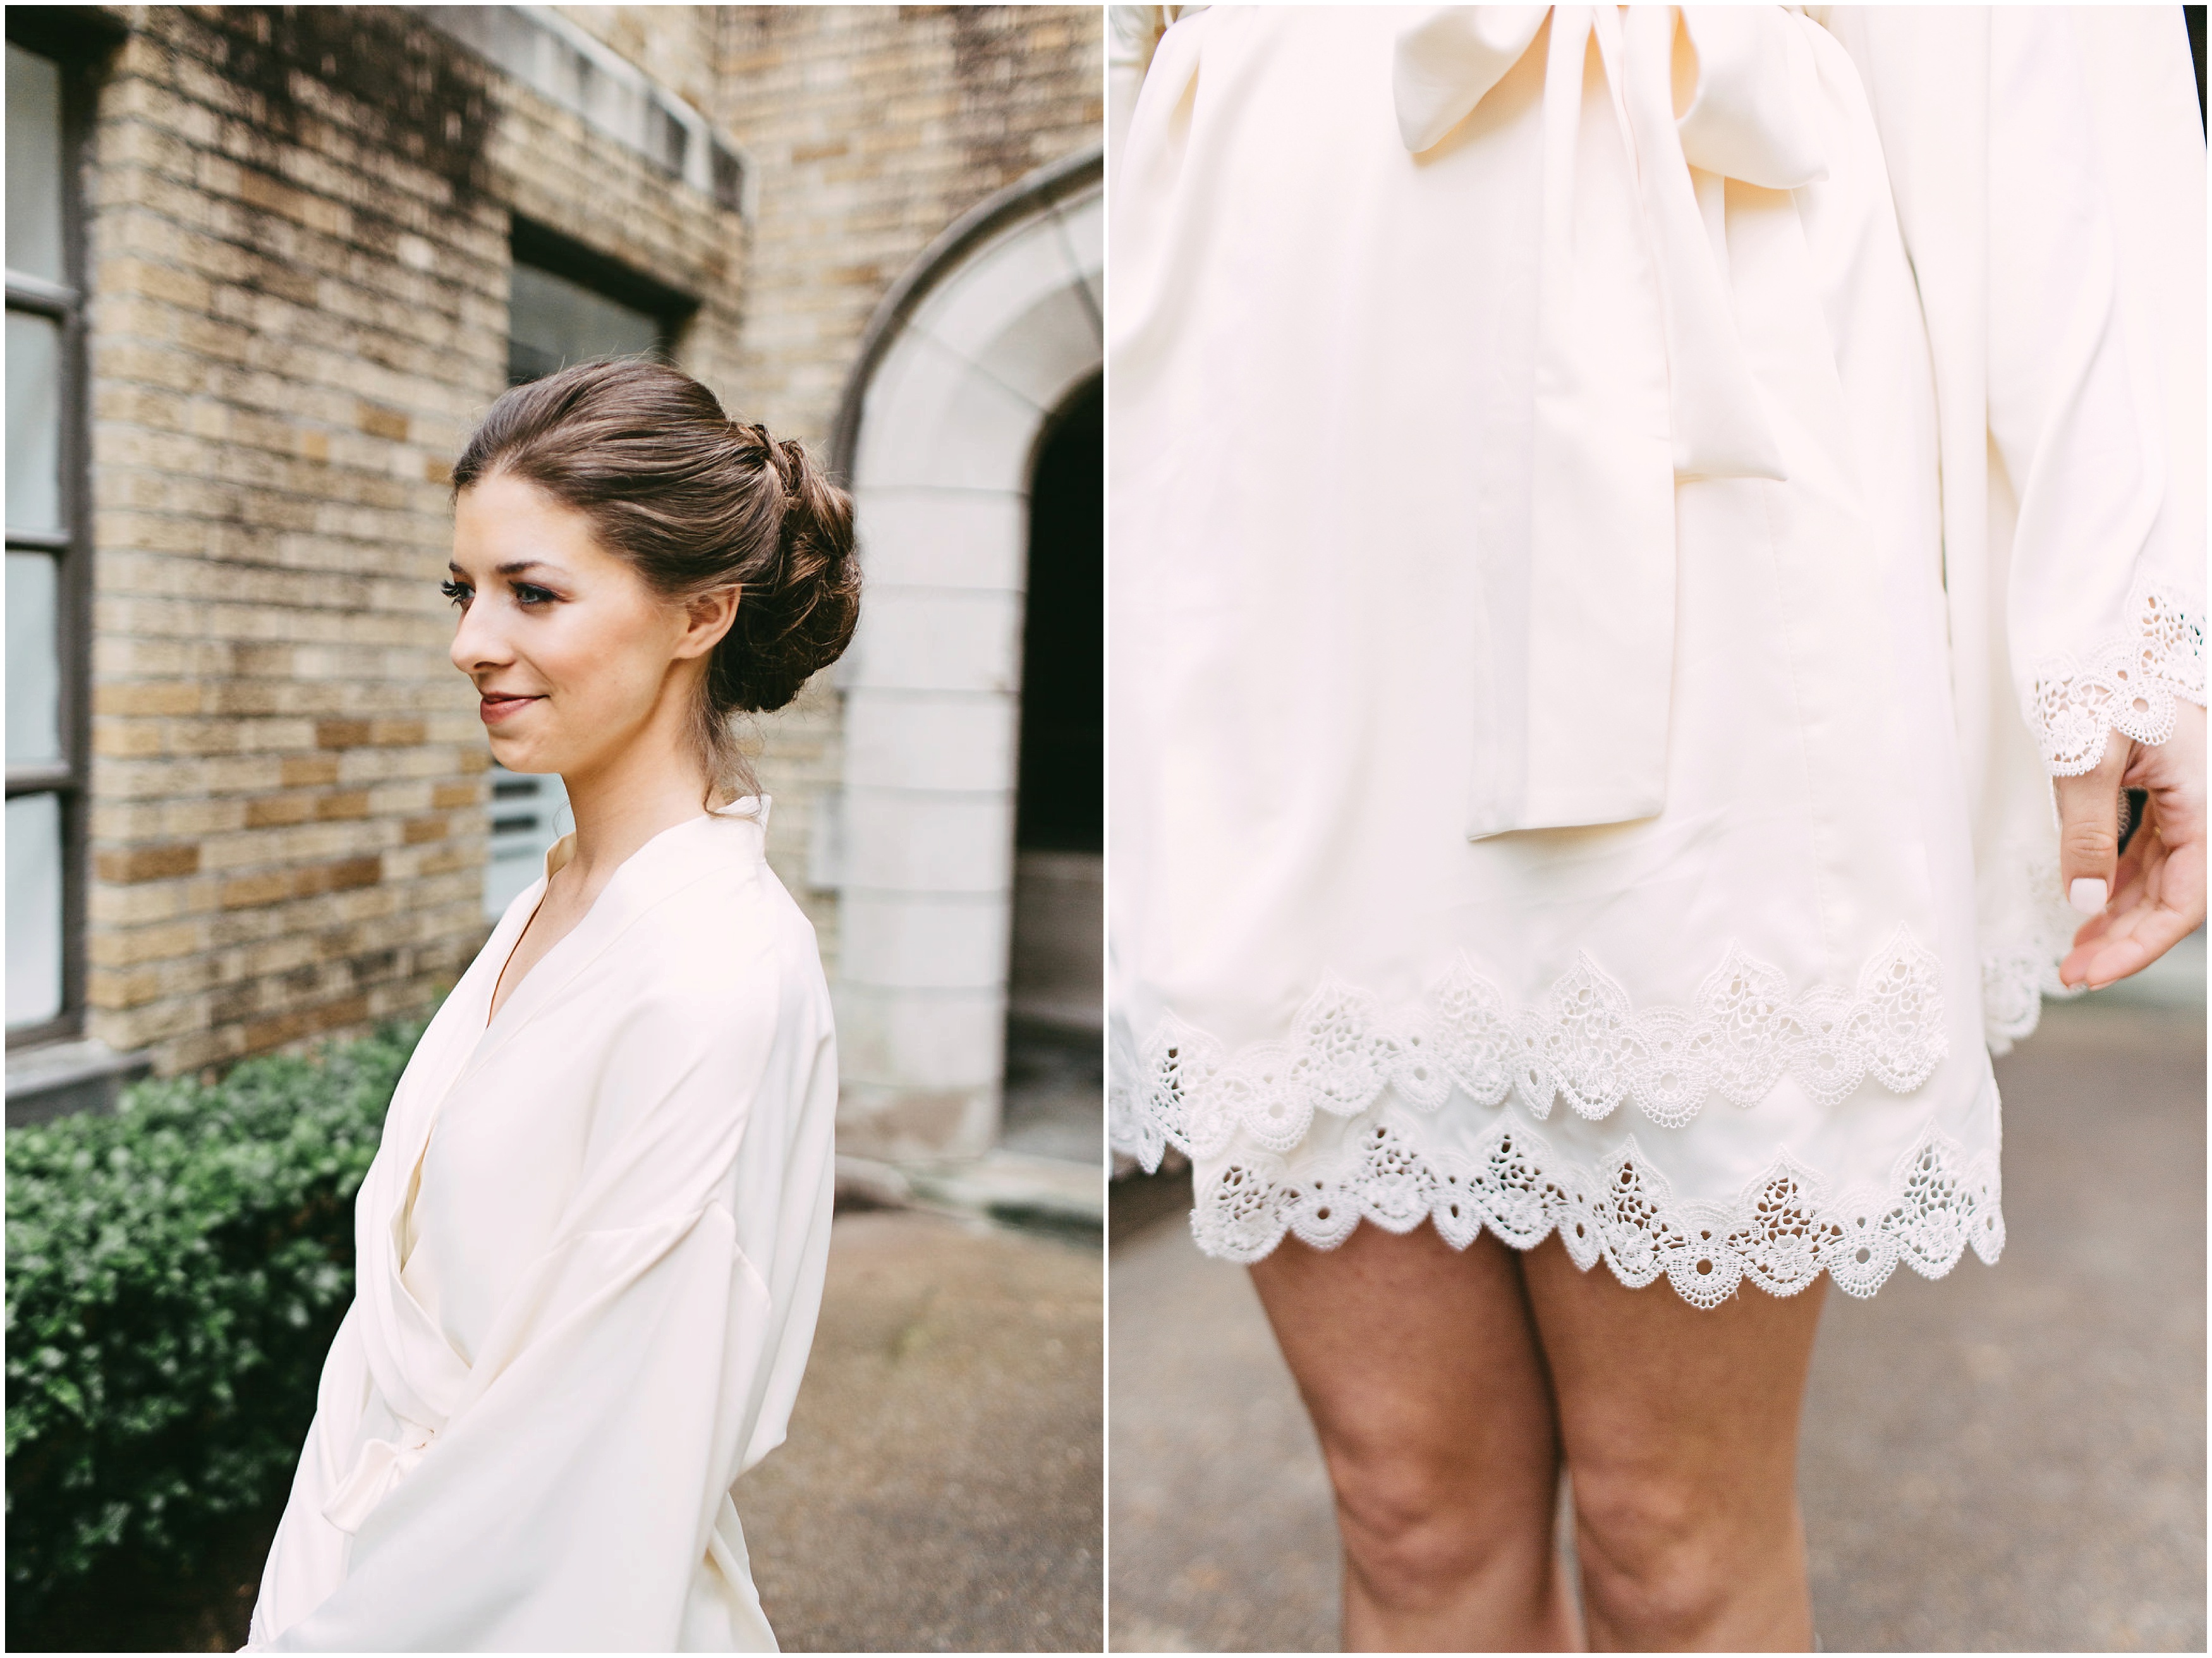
(2127, 685)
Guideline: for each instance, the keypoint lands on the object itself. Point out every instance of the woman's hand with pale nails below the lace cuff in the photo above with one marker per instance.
(2158, 891)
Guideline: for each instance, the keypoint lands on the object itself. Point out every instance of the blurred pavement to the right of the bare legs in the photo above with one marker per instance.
(2016, 1458)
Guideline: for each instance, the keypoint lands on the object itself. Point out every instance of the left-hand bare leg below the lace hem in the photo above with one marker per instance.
(1421, 1371)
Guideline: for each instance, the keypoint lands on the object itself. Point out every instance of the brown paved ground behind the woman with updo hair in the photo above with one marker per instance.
(941, 1489)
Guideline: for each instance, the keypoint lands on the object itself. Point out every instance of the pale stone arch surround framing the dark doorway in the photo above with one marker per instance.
(970, 369)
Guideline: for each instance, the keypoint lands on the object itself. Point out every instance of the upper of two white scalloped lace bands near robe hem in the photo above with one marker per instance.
(1583, 1044)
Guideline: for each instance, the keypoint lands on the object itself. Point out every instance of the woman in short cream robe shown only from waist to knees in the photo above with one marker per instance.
(1618, 521)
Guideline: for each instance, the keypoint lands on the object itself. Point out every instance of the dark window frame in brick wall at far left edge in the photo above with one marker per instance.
(76, 41)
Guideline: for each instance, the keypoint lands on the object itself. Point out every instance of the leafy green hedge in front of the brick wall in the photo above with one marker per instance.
(174, 1281)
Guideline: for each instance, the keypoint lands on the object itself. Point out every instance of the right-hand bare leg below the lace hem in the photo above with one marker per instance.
(1680, 1429)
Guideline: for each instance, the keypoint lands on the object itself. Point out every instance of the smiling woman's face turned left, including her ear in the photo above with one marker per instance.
(574, 659)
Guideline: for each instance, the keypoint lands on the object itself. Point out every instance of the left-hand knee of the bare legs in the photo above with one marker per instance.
(1415, 1531)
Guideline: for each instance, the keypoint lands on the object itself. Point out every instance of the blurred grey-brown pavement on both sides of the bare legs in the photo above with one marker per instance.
(2005, 1460)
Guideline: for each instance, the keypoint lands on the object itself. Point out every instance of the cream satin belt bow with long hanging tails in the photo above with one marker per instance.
(1636, 380)
